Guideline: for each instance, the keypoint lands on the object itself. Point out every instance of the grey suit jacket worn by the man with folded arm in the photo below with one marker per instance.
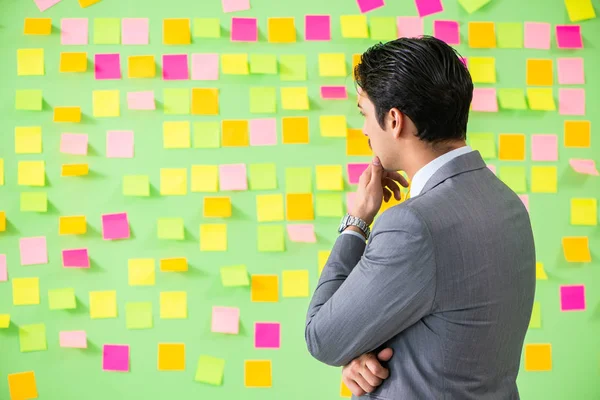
(447, 280)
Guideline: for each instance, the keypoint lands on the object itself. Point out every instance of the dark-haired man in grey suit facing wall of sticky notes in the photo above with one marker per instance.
(443, 290)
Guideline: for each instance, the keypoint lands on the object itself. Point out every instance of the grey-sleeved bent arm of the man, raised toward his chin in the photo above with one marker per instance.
(362, 302)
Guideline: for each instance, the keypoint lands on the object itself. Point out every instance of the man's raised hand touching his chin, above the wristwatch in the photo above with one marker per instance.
(374, 186)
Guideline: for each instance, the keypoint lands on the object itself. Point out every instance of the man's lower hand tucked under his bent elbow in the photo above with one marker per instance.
(365, 373)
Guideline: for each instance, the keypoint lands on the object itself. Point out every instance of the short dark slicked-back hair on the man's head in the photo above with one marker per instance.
(425, 79)
